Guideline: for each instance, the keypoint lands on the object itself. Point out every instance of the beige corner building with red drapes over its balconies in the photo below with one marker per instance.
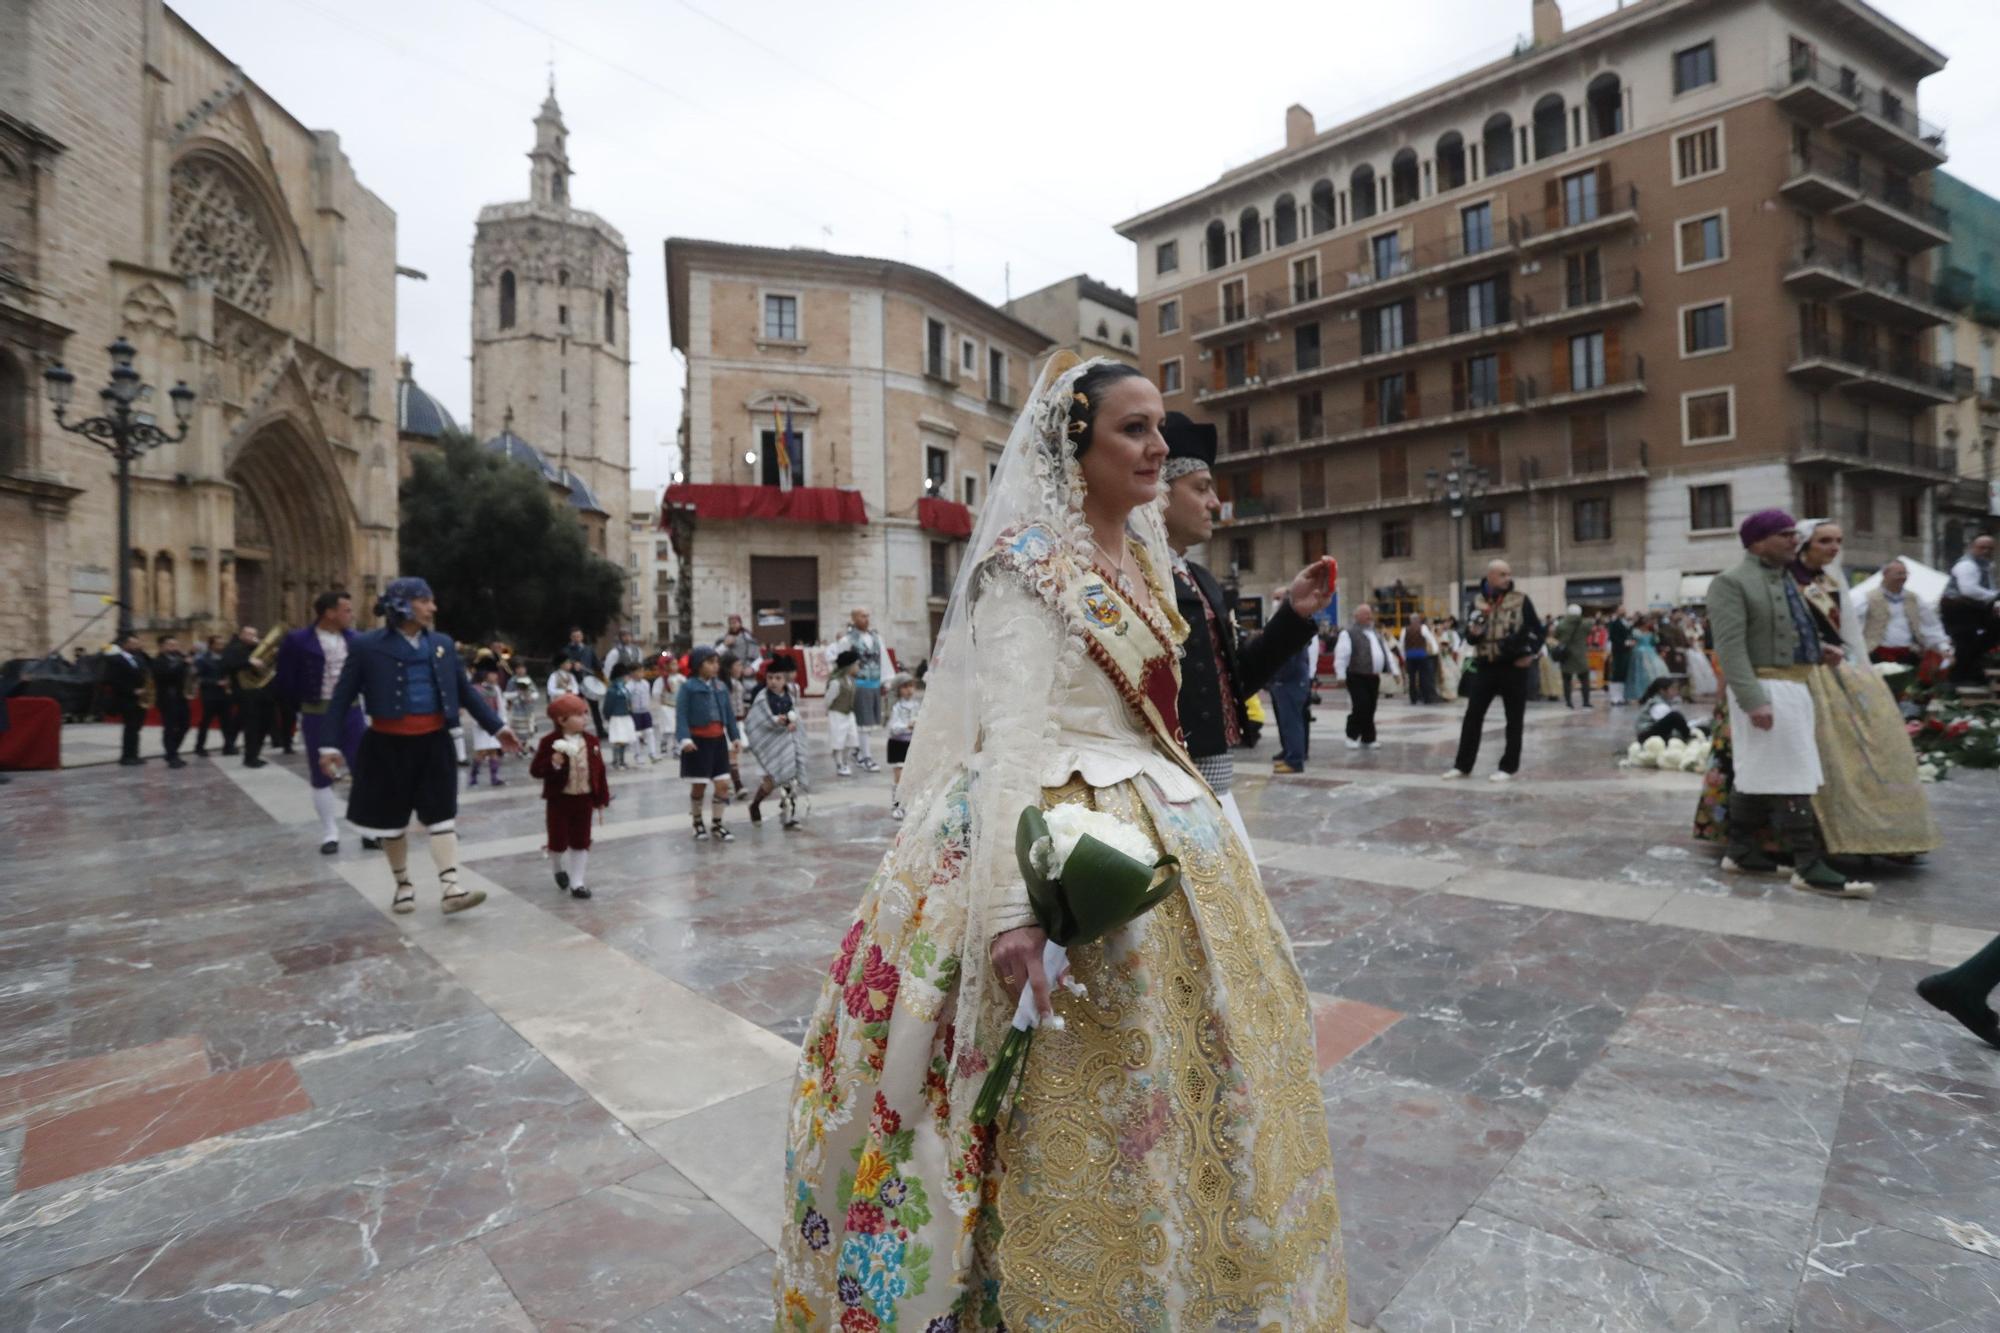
(893, 393)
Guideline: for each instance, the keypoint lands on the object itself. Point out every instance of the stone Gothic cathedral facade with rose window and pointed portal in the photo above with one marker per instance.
(149, 189)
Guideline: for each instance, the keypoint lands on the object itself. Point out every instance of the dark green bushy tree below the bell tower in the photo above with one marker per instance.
(503, 555)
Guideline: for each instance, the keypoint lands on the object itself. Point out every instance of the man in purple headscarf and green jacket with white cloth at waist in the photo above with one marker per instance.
(1769, 647)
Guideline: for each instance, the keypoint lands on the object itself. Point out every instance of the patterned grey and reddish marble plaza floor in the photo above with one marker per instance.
(1575, 1078)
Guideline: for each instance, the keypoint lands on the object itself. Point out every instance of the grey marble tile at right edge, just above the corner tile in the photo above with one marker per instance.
(1921, 1154)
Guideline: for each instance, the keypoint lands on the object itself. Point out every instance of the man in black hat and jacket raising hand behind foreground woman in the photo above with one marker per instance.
(1219, 672)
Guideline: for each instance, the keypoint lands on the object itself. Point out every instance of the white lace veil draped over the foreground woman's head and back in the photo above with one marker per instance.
(983, 692)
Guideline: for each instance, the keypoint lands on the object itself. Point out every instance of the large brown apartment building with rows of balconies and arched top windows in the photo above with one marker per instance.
(1627, 285)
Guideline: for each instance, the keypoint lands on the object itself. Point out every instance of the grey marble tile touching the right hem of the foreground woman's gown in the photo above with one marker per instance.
(1409, 1162)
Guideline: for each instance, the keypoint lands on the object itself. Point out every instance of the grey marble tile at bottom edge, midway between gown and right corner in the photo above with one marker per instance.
(1495, 1274)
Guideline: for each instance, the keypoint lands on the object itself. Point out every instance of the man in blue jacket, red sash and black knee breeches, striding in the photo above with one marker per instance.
(413, 684)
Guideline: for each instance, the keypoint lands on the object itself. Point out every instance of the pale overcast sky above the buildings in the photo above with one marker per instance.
(991, 143)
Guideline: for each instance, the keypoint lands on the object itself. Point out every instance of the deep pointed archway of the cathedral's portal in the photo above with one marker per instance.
(295, 533)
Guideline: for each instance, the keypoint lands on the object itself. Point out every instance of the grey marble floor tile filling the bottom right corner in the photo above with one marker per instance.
(1863, 1278)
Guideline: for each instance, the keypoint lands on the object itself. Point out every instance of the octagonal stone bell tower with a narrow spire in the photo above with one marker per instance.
(551, 339)
